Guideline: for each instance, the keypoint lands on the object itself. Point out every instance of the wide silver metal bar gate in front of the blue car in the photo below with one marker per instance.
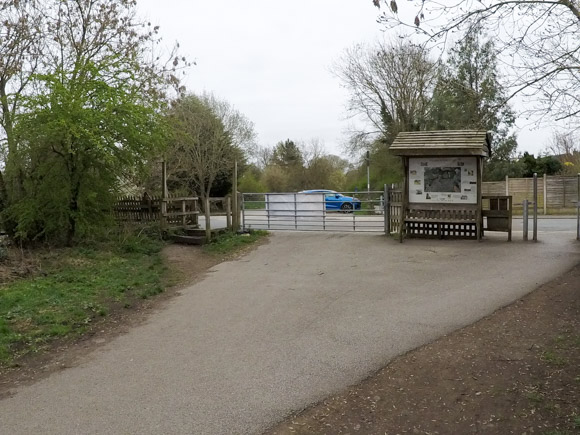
(319, 211)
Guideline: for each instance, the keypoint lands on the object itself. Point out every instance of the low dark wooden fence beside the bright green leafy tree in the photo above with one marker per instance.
(179, 211)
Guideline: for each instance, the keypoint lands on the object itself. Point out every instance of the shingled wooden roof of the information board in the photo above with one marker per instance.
(442, 143)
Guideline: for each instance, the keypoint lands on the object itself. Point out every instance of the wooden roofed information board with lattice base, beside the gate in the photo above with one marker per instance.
(442, 189)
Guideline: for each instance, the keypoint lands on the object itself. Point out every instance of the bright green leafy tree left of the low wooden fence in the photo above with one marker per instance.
(76, 140)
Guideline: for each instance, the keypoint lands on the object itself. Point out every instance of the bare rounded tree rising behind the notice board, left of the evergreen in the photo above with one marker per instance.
(390, 86)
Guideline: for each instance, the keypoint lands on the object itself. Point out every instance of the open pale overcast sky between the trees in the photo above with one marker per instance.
(272, 61)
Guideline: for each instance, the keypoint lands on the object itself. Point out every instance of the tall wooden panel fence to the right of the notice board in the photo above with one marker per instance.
(554, 192)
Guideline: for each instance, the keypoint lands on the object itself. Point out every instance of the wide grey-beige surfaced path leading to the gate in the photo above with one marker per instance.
(286, 325)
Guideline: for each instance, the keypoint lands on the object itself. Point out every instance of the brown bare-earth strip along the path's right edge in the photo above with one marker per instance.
(516, 371)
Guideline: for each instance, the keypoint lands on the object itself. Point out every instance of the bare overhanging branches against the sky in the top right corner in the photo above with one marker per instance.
(539, 42)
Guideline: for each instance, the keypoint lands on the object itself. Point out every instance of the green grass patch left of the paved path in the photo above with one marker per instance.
(78, 287)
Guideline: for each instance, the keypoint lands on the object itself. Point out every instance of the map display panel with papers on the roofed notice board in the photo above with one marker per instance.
(443, 179)
